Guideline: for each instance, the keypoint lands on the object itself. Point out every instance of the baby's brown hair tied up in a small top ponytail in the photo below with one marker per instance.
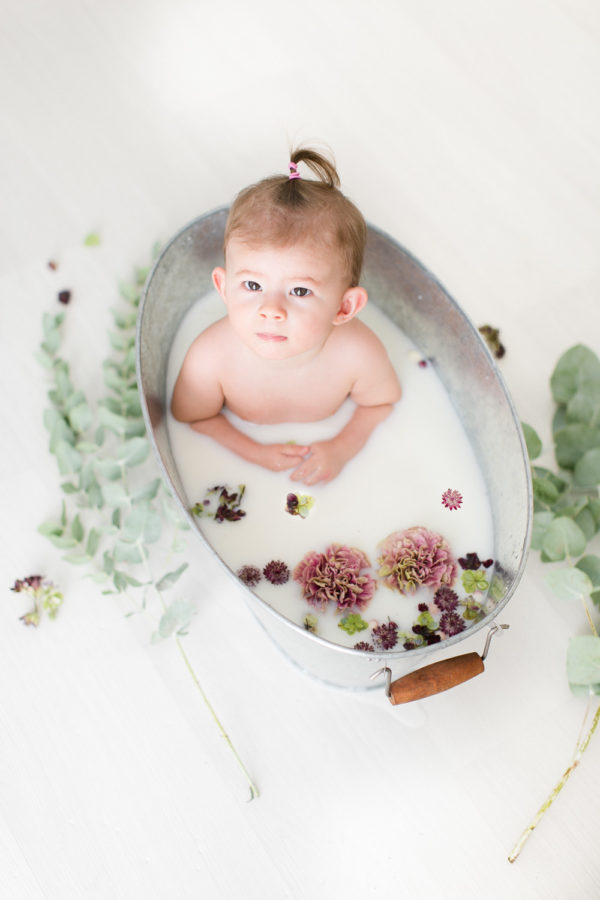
(283, 210)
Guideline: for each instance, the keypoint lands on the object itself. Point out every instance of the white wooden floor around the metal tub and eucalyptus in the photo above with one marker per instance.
(470, 132)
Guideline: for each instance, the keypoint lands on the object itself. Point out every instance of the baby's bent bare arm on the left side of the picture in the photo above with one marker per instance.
(198, 400)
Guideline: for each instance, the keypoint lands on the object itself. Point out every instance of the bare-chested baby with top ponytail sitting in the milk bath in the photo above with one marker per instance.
(290, 348)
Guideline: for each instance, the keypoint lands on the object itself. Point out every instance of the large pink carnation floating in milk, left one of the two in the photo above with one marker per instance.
(337, 576)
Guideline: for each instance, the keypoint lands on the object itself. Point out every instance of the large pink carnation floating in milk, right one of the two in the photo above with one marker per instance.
(416, 557)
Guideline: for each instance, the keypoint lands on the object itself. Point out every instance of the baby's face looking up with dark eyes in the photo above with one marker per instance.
(282, 302)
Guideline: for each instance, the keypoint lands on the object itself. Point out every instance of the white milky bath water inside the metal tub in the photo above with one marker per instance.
(394, 483)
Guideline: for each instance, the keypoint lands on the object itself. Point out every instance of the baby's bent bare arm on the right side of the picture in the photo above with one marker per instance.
(375, 392)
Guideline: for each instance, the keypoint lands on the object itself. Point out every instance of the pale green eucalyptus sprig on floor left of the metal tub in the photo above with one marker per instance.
(117, 520)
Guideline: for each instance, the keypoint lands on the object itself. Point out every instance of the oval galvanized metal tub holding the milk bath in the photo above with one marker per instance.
(416, 301)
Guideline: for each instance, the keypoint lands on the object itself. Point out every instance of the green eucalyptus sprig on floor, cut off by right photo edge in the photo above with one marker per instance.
(566, 524)
